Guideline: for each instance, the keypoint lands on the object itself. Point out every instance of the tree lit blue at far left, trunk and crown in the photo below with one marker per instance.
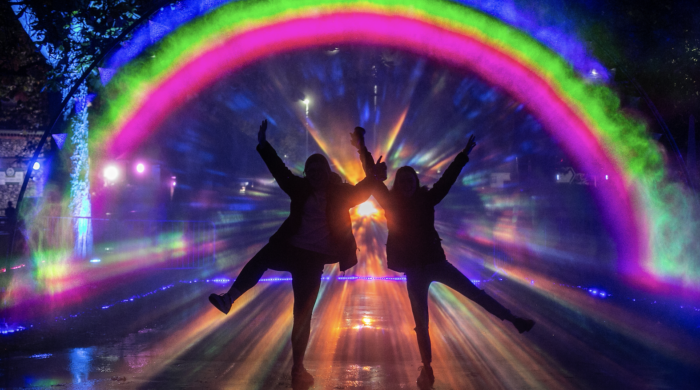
(71, 34)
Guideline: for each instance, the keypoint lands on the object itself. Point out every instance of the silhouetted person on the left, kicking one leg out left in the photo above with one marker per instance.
(318, 231)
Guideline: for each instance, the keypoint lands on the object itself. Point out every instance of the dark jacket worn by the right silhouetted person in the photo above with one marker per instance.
(412, 240)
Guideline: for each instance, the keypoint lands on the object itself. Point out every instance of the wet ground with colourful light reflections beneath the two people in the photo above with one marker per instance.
(362, 338)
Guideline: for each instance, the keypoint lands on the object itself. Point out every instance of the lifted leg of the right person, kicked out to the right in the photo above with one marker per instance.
(446, 273)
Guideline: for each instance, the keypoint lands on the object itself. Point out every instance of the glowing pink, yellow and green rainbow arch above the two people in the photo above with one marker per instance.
(583, 117)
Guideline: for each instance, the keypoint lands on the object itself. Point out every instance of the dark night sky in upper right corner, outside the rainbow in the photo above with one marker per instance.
(658, 44)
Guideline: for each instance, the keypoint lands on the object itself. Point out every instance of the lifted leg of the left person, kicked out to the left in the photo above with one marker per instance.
(247, 278)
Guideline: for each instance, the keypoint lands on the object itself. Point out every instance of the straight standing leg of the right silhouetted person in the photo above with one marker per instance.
(418, 284)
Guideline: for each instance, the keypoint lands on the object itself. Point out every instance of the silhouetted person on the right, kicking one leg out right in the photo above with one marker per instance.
(413, 247)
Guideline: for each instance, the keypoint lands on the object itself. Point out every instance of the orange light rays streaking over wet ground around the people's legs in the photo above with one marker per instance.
(364, 322)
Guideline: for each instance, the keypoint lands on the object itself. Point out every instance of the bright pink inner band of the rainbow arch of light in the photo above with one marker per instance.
(491, 63)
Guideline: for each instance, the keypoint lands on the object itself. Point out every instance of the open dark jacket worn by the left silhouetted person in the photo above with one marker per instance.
(340, 197)
